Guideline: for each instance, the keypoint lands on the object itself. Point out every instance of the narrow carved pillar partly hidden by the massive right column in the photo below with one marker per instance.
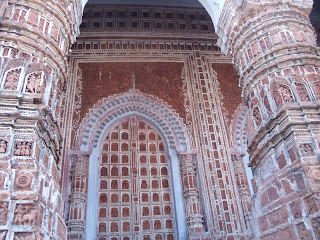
(243, 186)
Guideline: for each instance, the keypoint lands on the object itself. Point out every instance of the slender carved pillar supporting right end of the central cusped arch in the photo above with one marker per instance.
(191, 194)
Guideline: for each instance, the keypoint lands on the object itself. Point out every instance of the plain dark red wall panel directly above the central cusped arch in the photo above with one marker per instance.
(160, 79)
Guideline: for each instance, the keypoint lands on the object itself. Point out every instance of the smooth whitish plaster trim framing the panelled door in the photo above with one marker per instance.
(175, 183)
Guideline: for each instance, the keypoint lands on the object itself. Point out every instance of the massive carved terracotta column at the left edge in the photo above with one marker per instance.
(34, 40)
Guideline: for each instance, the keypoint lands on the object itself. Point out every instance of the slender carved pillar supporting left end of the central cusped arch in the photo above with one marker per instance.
(78, 196)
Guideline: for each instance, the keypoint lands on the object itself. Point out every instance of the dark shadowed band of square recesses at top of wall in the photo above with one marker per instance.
(145, 19)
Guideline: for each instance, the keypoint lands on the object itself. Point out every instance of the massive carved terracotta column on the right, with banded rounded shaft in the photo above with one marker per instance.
(274, 49)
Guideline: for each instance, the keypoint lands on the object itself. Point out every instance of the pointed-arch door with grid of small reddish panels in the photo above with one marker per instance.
(135, 201)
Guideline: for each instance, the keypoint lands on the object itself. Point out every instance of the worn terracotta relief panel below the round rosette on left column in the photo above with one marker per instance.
(25, 215)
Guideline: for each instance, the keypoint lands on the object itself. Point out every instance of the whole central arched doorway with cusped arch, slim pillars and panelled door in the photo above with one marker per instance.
(180, 181)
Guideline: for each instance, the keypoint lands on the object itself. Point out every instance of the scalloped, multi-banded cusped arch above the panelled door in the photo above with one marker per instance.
(117, 107)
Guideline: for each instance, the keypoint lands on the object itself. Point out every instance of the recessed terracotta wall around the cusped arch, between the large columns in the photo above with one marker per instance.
(189, 75)
